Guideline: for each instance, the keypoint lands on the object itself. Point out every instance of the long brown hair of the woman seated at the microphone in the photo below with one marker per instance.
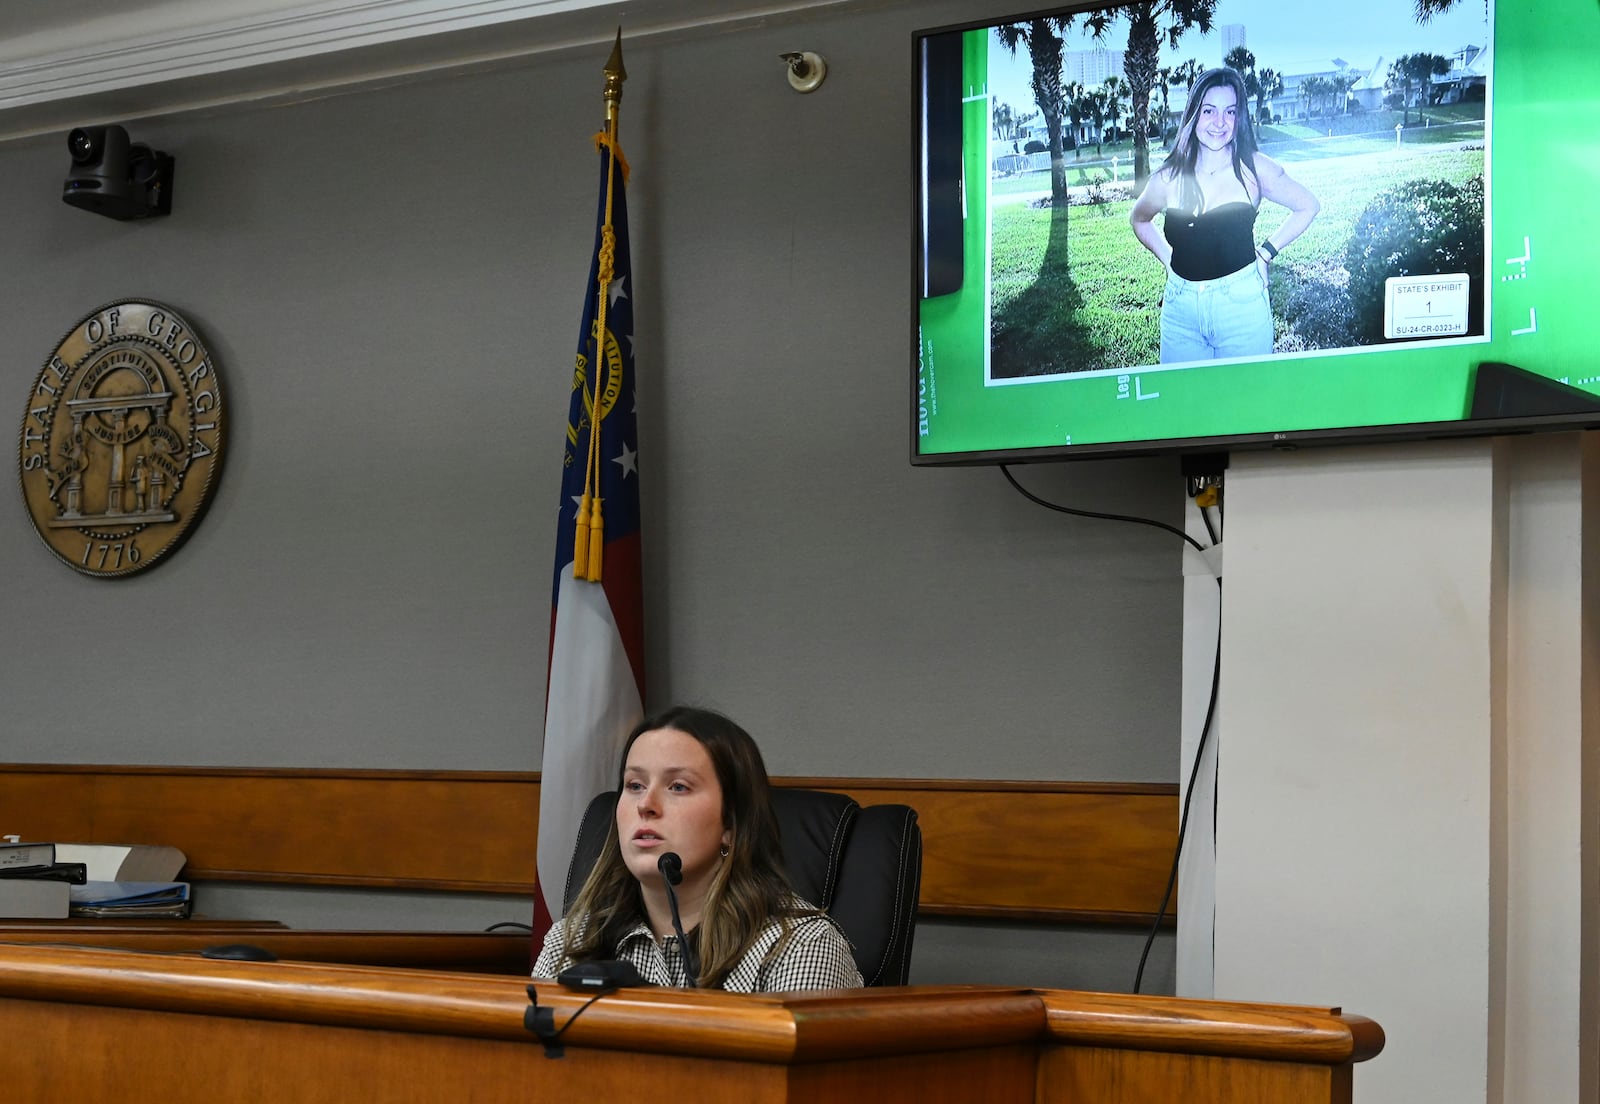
(748, 889)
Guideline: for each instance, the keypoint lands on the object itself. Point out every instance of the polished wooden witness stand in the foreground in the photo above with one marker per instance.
(87, 1025)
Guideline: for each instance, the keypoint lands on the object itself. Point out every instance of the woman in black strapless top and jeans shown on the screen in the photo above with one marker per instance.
(1210, 190)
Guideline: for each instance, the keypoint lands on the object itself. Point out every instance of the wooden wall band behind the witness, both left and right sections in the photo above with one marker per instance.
(1057, 852)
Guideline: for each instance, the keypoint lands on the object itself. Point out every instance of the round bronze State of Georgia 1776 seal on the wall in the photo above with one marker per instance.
(122, 441)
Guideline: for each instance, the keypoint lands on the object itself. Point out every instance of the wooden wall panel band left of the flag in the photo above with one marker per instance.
(415, 830)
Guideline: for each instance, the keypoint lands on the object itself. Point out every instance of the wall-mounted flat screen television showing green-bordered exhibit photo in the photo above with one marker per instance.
(1447, 284)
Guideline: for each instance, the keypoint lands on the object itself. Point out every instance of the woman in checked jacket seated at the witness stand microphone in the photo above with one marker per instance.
(694, 785)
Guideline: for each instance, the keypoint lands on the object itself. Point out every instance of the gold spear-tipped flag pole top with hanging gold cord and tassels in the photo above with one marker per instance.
(590, 545)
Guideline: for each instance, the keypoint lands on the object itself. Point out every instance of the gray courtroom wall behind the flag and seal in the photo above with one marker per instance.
(391, 281)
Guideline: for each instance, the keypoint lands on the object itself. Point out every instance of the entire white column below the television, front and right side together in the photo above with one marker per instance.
(1407, 801)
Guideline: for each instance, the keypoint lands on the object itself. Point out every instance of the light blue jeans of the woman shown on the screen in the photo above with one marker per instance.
(1210, 319)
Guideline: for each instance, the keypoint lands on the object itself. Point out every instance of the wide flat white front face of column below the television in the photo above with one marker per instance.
(1354, 799)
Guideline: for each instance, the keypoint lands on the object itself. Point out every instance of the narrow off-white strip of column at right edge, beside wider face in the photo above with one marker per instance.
(1545, 1042)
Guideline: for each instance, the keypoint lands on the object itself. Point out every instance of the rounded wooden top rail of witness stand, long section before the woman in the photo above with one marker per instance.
(650, 1020)
